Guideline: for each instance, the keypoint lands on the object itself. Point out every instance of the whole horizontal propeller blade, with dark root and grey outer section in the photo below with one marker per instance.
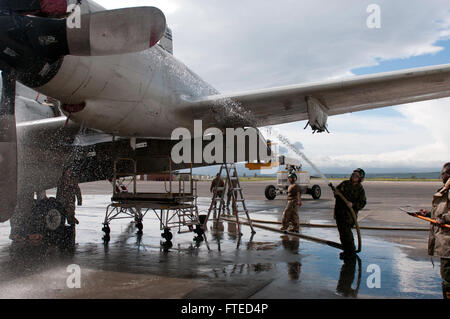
(27, 38)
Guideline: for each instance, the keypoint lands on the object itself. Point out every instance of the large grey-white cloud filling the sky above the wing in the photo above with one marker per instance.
(238, 45)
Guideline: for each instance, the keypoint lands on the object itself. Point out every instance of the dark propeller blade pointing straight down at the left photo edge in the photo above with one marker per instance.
(8, 147)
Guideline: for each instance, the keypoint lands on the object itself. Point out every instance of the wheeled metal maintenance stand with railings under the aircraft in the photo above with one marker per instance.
(175, 208)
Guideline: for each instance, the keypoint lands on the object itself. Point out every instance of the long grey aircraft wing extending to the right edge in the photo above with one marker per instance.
(316, 101)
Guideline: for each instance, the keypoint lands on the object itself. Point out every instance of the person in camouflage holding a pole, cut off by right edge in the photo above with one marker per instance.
(439, 240)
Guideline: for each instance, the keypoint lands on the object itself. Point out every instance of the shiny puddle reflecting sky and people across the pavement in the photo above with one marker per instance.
(269, 265)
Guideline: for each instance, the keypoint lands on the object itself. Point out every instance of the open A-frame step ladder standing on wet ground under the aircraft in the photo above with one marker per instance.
(233, 185)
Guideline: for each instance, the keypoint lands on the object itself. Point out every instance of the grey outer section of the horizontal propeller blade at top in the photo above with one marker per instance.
(118, 31)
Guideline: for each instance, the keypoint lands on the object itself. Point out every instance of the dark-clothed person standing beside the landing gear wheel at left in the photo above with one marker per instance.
(67, 191)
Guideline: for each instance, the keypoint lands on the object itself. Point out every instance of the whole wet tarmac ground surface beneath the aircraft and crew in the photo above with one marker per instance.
(266, 265)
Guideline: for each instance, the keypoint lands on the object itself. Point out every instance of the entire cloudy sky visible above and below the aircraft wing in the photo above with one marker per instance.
(250, 44)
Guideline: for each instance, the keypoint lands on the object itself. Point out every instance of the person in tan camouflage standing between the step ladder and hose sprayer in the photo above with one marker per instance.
(290, 214)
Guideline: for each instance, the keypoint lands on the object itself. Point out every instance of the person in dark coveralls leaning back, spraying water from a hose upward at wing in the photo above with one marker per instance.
(353, 191)
